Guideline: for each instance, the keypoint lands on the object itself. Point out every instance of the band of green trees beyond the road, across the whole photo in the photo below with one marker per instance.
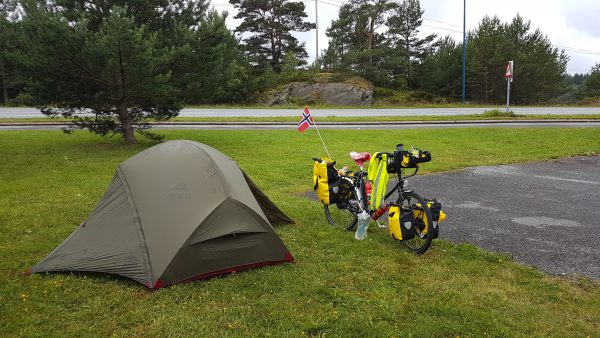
(161, 54)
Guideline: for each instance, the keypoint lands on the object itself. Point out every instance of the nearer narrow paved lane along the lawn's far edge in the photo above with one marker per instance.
(357, 126)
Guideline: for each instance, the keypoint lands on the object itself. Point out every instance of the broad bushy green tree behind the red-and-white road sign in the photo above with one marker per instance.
(540, 69)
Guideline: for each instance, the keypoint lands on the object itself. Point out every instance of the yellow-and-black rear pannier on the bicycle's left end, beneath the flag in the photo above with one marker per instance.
(326, 181)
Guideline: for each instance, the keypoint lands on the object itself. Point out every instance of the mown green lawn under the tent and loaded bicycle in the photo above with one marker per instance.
(49, 182)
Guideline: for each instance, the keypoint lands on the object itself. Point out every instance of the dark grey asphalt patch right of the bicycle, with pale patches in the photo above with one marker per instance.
(544, 214)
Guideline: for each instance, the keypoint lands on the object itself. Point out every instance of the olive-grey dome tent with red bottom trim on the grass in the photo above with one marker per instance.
(178, 211)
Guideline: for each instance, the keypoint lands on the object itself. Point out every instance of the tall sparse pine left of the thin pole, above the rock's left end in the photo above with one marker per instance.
(269, 24)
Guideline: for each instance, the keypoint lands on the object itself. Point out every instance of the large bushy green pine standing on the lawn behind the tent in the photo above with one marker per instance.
(118, 73)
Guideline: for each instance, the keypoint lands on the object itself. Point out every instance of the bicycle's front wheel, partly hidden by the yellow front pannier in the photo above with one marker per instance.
(422, 222)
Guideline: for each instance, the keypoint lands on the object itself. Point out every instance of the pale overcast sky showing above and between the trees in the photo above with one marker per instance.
(573, 25)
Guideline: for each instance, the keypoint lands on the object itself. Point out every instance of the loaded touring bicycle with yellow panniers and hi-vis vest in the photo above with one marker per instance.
(349, 197)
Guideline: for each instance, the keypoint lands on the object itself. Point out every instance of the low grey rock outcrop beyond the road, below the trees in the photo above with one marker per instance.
(335, 93)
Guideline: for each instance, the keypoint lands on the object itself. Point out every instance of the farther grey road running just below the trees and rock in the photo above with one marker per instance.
(196, 112)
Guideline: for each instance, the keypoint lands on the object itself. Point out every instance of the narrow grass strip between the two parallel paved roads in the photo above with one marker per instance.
(295, 119)
